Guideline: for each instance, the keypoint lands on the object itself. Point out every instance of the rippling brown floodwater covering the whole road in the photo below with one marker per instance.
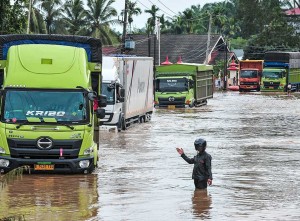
(254, 140)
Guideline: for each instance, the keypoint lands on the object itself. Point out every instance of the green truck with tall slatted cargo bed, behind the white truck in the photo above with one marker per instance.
(183, 85)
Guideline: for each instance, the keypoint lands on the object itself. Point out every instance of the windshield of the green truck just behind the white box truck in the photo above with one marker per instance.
(172, 85)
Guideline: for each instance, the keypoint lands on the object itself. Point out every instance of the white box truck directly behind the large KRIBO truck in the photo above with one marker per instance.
(128, 84)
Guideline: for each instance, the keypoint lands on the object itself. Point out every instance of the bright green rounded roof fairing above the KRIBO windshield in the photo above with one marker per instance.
(47, 66)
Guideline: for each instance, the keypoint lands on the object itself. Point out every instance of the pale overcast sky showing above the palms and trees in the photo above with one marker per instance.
(169, 8)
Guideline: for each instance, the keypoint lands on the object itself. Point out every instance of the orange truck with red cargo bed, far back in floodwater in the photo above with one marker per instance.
(250, 75)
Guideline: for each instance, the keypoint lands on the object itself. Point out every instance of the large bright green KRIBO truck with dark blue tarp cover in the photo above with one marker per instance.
(50, 90)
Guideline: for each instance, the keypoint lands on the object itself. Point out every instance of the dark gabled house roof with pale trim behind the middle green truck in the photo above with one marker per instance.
(189, 48)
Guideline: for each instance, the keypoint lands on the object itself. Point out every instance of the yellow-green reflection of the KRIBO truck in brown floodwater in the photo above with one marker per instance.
(50, 197)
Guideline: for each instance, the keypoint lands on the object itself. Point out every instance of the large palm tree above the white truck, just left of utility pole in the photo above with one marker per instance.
(101, 15)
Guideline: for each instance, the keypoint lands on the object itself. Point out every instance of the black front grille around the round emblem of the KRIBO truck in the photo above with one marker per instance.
(28, 149)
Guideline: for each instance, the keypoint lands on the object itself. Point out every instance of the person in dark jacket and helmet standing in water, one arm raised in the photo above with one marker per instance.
(202, 174)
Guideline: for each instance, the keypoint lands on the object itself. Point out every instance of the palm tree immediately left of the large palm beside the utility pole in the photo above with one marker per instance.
(75, 16)
